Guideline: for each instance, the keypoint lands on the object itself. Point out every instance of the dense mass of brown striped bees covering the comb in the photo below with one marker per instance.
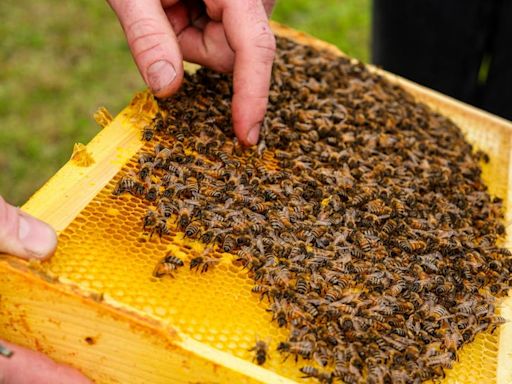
(361, 215)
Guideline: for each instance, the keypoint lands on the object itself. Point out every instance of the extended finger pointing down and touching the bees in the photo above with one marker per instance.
(253, 42)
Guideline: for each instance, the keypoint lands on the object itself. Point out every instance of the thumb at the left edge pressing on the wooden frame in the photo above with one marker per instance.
(23, 235)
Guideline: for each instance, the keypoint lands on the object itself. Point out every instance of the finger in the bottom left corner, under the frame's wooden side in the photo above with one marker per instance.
(29, 367)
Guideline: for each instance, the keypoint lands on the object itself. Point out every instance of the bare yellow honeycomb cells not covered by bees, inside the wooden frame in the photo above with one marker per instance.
(104, 250)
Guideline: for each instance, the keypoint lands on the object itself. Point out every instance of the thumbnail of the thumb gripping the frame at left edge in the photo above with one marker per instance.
(38, 238)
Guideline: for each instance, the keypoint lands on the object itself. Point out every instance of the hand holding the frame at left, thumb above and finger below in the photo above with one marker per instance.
(24, 236)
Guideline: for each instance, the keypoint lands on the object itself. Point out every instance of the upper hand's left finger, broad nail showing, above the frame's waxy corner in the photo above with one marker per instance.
(152, 43)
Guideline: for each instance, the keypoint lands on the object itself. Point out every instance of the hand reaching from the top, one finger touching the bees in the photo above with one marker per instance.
(225, 35)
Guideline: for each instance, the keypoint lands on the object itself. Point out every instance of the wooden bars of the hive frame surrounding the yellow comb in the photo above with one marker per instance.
(111, 342)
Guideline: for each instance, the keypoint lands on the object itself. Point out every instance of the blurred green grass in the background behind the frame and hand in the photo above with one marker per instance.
(60, 61)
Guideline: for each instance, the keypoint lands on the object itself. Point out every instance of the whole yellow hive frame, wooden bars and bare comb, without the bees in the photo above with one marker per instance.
(96, 306)
